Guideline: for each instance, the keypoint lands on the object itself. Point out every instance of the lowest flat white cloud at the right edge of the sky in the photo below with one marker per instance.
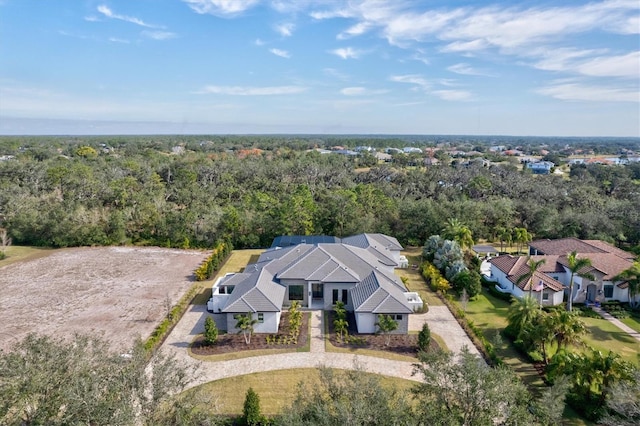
(576, 91)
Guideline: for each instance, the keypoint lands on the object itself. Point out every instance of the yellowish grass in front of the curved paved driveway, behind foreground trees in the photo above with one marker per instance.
(276, 389)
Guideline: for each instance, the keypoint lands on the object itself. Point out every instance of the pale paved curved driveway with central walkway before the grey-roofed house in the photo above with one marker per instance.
(440, 321)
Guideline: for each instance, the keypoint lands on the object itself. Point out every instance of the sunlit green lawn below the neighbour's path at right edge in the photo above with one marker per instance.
(604, 336)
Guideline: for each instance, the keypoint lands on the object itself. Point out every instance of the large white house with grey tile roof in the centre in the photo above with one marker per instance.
(318, 271)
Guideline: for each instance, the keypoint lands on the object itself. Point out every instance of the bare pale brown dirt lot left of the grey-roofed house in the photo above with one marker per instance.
(119, 292)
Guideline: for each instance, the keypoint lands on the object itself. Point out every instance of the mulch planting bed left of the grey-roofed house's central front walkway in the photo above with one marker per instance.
(228, 343)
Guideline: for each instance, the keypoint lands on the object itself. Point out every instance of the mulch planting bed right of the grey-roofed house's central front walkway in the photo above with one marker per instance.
(401, 344)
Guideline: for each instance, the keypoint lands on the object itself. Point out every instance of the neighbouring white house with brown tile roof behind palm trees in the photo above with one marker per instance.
(553, 277)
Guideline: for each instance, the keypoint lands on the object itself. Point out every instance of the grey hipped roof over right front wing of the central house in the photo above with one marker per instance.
(377, 295)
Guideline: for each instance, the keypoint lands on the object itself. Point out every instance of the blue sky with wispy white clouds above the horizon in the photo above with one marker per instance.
(565, 68)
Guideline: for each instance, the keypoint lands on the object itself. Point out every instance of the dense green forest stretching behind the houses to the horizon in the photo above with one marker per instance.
(191, 191)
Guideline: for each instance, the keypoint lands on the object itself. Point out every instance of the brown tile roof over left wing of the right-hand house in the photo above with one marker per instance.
(515, 267)
